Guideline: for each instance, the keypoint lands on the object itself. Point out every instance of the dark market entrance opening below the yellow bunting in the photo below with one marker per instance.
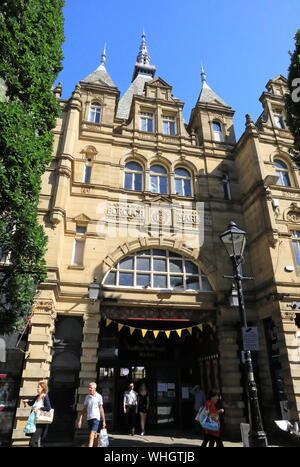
(169, 366)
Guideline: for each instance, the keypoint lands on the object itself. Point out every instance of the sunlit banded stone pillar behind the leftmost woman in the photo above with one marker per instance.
(37, 363)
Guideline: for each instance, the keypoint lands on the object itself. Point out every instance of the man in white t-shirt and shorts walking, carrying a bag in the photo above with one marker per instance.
(93, 407)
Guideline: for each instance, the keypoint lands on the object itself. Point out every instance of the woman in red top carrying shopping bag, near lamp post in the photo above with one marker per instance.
(210, 421)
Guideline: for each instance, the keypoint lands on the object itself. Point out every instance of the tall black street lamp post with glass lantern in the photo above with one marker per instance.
(234, 240)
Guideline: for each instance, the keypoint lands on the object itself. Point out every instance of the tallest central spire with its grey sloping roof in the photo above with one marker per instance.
(143, 72)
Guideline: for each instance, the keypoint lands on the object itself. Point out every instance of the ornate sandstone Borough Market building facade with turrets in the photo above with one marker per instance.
(135, 200)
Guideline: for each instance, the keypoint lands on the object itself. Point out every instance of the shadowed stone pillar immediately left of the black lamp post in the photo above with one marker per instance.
(230, 374)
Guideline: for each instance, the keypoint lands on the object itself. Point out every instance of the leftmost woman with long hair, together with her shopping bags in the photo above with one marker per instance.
(41, 402)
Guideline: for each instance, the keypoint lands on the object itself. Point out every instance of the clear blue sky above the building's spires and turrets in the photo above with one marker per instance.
(241, 45)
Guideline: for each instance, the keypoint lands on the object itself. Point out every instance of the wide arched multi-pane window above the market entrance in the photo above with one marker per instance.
(157, 269)
